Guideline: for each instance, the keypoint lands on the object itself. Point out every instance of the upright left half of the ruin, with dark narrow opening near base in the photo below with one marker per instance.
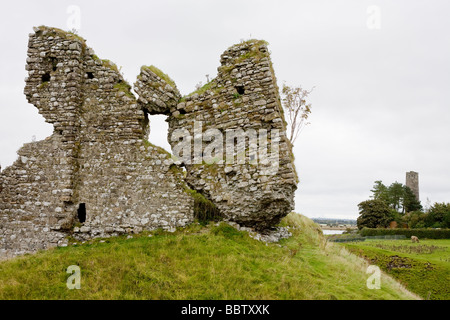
(96, 161)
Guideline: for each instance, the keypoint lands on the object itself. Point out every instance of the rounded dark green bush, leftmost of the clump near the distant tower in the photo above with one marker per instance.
(373, 214)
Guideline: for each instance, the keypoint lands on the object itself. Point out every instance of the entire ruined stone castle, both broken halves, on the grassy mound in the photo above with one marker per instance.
(98, 176)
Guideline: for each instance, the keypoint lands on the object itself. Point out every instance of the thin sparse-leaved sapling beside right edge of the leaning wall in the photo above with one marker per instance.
(298, 110)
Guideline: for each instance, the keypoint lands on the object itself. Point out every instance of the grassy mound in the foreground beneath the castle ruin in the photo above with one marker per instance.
(212, 262)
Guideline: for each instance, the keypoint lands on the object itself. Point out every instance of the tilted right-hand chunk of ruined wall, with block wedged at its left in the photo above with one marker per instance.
(255, 192)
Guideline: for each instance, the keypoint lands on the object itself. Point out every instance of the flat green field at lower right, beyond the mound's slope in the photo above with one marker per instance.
(424, 268)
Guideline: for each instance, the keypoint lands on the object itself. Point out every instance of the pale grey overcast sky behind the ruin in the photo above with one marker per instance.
(380, 69)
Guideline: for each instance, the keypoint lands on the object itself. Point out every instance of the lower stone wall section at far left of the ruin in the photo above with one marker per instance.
(32, 214)
